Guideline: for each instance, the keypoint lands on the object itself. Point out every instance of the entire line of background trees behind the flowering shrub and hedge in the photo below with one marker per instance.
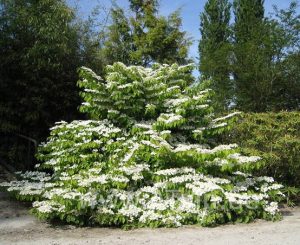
(253, 63)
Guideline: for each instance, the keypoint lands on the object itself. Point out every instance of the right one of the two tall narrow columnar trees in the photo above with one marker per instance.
(253, 81)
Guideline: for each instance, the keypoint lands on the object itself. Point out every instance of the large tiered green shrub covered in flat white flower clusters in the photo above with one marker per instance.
(147, 157)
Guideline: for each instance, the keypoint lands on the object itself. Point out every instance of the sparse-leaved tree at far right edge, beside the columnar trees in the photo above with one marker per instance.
(287, 22)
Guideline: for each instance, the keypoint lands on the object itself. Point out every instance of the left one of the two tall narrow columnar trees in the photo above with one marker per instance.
(214, 49)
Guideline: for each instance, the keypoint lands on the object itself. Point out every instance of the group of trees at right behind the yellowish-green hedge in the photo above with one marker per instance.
(254, 61)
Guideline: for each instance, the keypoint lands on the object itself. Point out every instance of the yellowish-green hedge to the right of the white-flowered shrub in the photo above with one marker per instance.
(276, 138)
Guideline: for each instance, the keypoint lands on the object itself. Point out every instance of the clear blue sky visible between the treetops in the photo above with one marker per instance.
(190, 11)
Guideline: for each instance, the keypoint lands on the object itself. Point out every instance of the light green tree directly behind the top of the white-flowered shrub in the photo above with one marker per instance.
(144, 37)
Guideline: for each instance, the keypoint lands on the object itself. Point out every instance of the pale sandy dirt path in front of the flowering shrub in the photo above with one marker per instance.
(18, 227)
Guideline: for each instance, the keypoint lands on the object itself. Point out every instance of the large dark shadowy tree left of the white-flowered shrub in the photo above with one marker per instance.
(39, 55)
